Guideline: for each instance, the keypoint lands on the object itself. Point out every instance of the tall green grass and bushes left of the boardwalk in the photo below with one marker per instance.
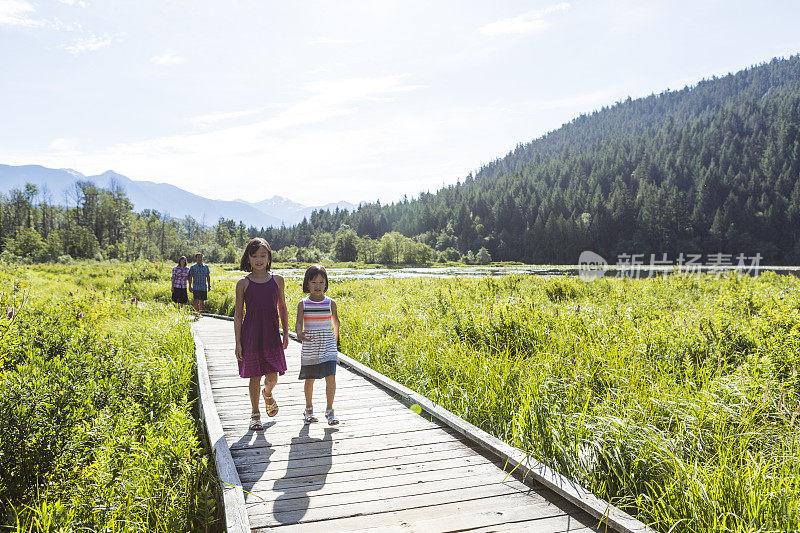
(96, 425)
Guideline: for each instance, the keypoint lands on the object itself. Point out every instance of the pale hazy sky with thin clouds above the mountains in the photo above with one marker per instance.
(328, 101)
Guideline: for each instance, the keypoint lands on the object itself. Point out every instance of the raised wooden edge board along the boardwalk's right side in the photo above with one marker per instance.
(527, 466)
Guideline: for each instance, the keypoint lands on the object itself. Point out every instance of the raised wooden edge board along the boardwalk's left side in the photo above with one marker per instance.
(236, 520)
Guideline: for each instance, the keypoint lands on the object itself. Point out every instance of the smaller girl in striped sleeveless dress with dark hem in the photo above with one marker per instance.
(317, 326)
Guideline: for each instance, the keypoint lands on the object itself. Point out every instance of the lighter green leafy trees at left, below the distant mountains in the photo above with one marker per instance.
(101, 224)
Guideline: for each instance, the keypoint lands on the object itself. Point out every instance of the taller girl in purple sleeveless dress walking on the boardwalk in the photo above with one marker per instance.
(260, 299)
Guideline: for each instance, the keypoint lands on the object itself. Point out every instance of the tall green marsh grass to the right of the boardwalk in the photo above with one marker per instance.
(676, 398)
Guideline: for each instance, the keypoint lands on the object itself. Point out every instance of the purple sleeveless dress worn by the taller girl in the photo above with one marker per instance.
(262, 346)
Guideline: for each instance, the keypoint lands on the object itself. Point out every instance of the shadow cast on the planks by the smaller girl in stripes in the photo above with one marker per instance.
(292, 505)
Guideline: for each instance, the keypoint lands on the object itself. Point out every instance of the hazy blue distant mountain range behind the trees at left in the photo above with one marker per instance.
(163, 197)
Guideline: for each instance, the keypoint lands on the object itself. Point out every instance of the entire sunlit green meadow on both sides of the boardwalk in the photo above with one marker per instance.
(676, 398)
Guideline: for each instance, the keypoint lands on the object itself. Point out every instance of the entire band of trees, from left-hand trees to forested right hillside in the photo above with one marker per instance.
(710, 169)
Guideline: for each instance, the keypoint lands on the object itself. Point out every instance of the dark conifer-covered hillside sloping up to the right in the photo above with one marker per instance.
(712, 168)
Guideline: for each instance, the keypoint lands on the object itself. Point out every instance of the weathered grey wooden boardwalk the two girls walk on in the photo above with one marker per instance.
(383, 468)
